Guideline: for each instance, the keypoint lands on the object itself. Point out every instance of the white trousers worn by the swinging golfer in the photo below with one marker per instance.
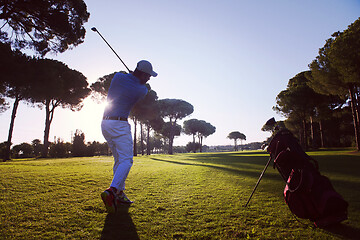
(118, 136)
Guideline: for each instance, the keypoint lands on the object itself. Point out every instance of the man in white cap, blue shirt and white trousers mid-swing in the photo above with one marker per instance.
(124, 91)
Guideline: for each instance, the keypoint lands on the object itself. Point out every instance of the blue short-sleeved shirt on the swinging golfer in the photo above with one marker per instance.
(124, 91)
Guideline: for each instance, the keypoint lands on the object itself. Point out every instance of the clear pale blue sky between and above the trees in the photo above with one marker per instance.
(228, 58)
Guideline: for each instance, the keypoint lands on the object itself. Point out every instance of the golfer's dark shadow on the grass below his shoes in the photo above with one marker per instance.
(119, 226)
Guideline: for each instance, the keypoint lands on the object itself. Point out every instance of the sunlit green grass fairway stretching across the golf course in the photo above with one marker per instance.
(185, 196)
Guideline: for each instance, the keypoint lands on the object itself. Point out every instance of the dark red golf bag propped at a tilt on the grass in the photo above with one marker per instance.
(308, 194)
